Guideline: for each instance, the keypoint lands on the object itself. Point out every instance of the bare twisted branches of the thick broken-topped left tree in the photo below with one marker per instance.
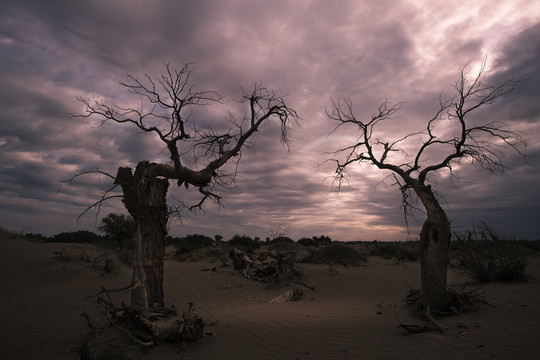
(167, 109)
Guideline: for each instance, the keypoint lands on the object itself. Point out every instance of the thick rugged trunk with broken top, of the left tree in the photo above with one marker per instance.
(145, 199)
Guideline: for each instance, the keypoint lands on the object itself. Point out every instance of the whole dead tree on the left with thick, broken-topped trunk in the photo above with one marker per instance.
(167, 111)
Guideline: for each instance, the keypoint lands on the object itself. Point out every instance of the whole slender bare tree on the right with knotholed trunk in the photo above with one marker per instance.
(482, 144)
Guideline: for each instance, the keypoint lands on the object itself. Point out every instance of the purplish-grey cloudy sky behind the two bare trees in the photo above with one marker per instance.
(311, 51)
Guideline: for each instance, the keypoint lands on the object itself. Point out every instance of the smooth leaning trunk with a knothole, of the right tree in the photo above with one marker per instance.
(434, 252)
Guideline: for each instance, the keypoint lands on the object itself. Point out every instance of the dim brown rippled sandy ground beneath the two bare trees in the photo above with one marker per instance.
(352, 314)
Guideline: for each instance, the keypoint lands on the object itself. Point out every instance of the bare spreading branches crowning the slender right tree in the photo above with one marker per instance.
(483, 144)
